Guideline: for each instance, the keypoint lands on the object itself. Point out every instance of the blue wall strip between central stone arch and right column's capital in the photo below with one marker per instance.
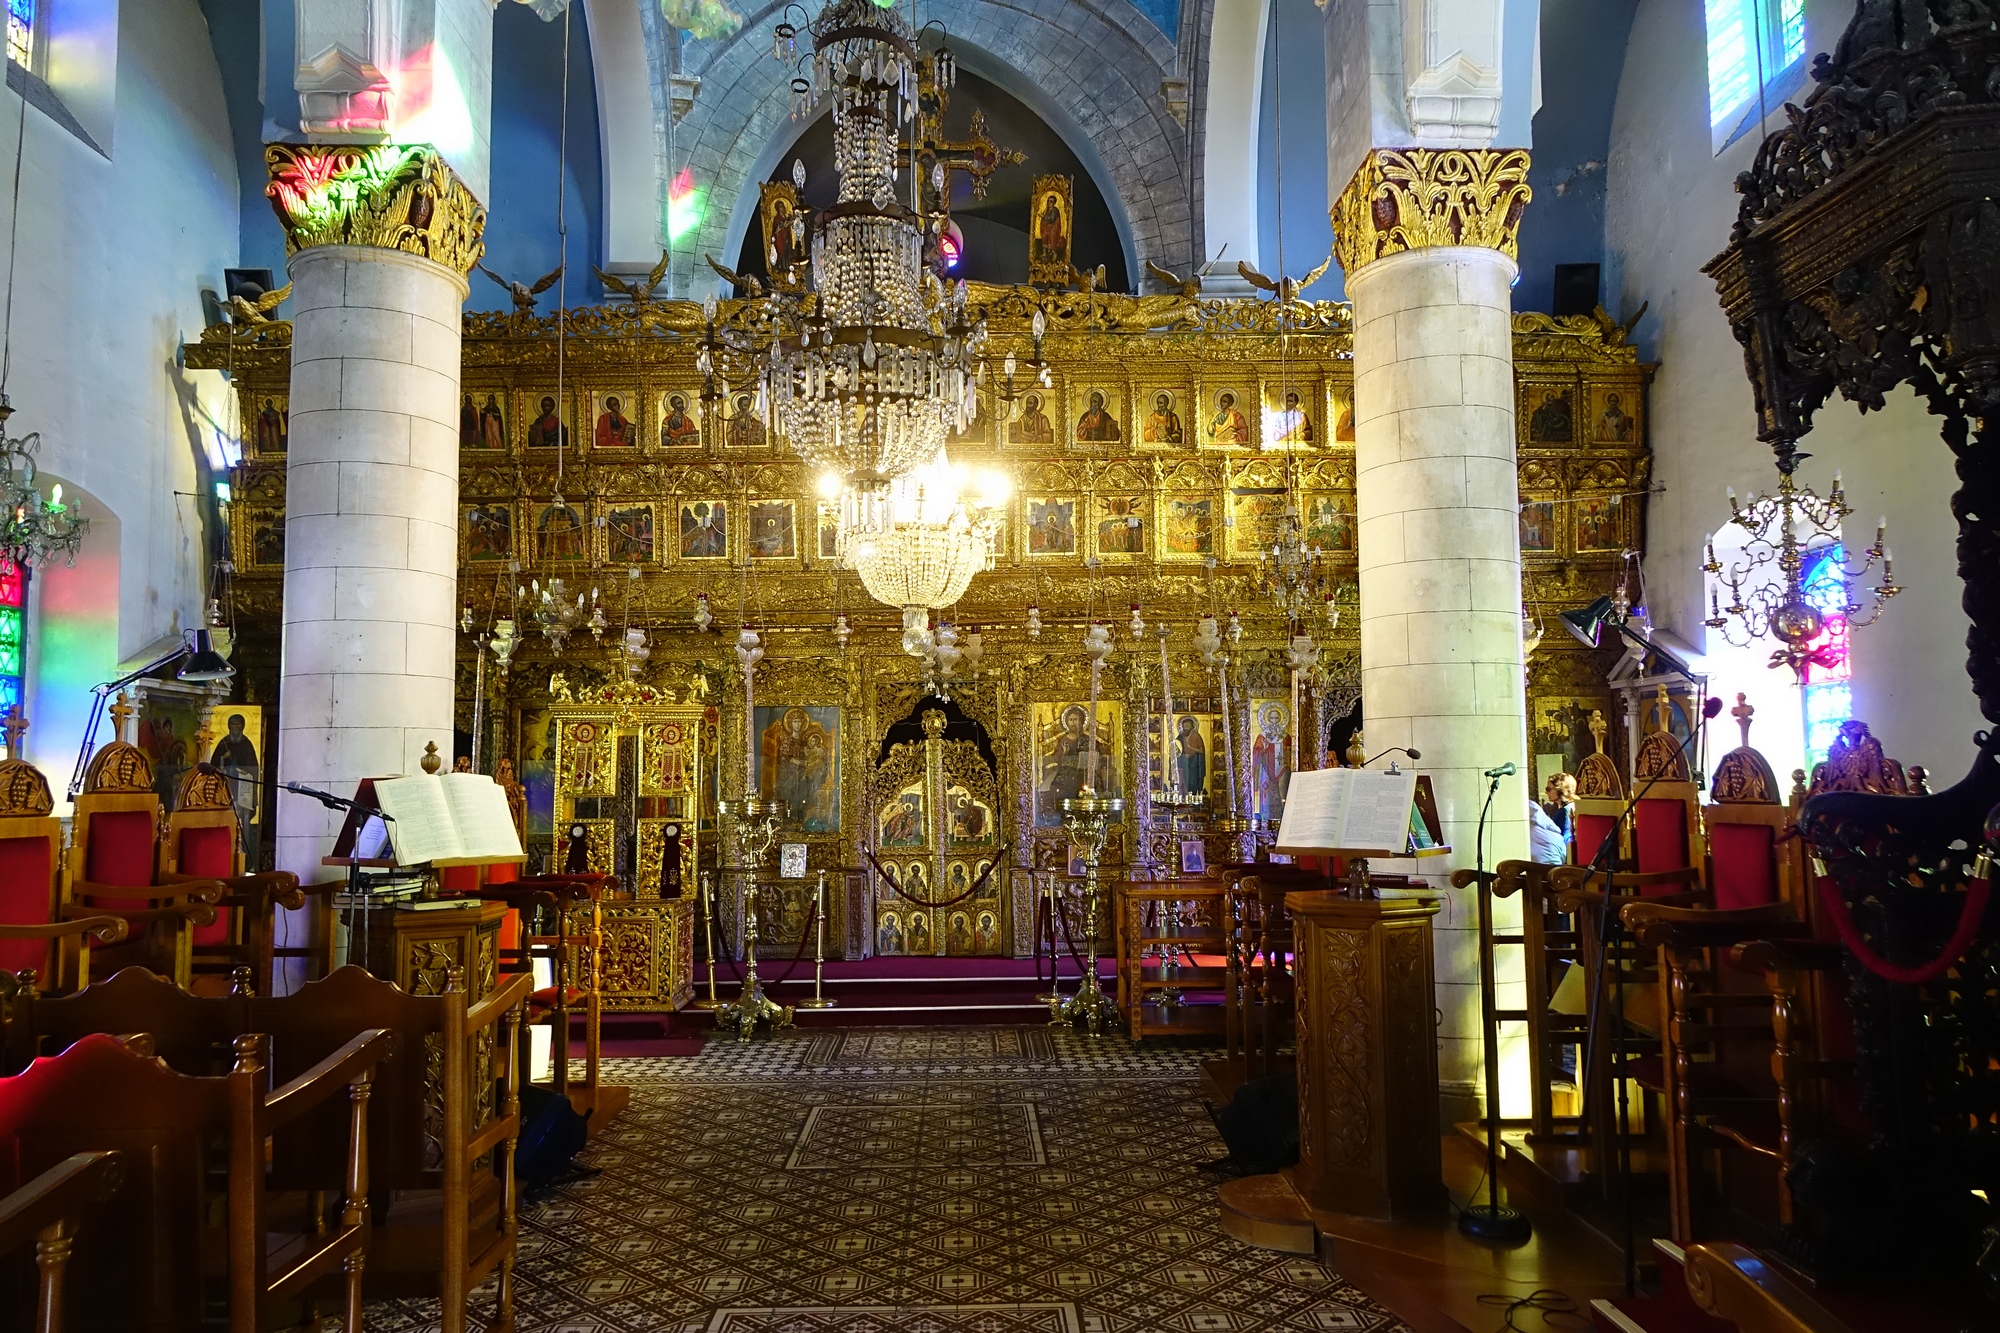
(1299, 35)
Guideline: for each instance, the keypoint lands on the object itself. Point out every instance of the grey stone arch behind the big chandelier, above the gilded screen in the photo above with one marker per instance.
(1091, 69)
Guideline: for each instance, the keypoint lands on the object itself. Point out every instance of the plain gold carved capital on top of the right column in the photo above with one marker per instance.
(1419, 199)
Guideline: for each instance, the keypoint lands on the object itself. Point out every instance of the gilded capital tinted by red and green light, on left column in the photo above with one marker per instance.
(391, 197)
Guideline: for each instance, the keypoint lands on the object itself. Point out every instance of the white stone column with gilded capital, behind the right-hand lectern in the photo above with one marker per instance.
(1427, 239)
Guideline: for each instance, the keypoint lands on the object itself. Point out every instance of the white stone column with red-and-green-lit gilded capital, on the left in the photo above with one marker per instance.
(381, 241)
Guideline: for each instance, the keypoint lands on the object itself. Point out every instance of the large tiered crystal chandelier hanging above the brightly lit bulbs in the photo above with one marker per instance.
(873, 375)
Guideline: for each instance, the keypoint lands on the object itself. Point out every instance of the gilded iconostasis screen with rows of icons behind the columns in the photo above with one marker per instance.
(1151, 463)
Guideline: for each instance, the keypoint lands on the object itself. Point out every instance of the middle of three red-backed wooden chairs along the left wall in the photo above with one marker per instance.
(113, 868)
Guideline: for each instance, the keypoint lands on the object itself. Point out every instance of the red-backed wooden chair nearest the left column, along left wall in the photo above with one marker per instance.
(203, 846)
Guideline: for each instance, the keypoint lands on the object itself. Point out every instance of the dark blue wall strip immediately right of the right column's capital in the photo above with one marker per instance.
(1583, 57)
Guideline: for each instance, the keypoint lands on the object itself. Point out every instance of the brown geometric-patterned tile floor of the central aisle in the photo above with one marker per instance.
(907, 1182)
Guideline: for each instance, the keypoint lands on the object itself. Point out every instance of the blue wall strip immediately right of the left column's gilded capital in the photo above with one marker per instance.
(521, 217)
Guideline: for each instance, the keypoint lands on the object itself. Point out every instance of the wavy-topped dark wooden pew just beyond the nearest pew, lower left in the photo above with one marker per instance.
(443, 1220)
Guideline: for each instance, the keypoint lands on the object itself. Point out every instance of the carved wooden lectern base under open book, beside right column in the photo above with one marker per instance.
(1369, 1138)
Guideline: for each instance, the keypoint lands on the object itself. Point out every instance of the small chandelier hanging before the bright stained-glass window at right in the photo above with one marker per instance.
(1789, 529)
